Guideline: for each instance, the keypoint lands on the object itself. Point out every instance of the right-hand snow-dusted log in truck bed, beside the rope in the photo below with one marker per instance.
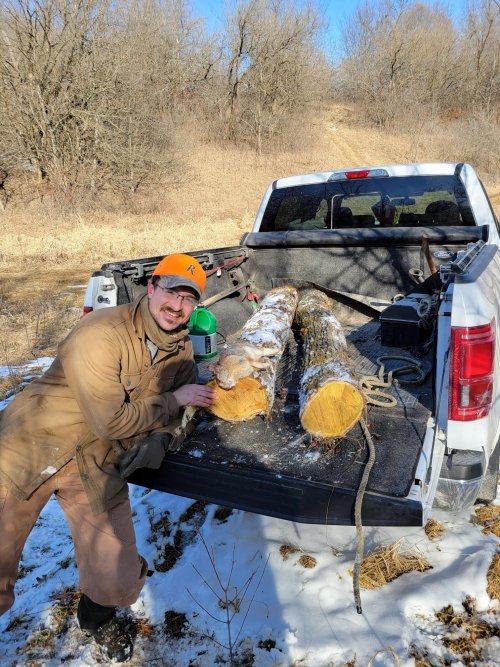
(330, 398)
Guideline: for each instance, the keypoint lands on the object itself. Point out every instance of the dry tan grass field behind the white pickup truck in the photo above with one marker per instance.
(45, 254)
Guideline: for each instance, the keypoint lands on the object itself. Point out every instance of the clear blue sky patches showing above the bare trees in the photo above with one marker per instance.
(335, 12)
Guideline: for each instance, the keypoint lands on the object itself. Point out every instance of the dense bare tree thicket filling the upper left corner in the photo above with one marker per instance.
(89, 90)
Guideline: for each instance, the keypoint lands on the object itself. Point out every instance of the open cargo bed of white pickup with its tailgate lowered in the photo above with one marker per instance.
(272, 467)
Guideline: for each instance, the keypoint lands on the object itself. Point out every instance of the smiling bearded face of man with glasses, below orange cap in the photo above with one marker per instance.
(169, 308)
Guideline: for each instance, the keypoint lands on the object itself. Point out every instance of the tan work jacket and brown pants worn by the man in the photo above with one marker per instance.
(63, 434)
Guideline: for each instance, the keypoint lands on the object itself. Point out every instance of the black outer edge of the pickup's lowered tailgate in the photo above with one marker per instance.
(303, 501)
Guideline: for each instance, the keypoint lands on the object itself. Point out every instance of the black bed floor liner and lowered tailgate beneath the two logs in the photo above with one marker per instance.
(273, 467)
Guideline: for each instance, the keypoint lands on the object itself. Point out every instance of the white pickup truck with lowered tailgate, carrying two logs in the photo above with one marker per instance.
(410, 256)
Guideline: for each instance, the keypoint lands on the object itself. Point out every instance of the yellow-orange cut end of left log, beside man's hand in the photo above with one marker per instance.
(244, 401)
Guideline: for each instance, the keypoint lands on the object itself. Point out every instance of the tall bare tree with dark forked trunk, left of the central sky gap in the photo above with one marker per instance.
(272, 67)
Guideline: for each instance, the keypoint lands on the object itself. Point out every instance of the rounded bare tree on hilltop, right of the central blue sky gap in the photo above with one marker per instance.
(399, 58)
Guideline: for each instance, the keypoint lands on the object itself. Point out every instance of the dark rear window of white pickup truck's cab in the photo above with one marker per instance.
(410, 201)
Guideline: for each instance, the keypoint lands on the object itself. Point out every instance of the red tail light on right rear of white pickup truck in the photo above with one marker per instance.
(472, 351)
